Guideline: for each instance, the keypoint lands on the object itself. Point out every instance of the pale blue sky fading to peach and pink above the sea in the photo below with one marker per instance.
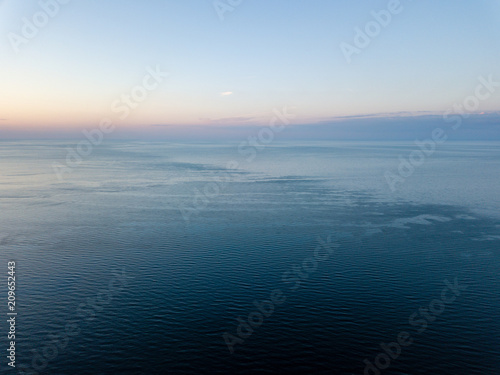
(67, 65)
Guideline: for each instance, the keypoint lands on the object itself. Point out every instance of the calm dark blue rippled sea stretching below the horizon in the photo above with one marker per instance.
(179, 283)
